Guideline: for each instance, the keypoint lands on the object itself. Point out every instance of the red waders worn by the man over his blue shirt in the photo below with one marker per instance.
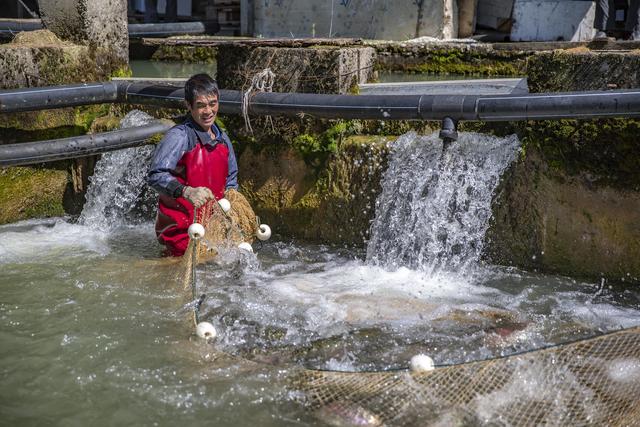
(204, 166)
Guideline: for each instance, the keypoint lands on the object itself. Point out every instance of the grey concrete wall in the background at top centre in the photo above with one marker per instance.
(371, 19)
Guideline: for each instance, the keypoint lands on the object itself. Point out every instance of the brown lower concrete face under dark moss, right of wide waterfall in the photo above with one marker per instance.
(548, 221)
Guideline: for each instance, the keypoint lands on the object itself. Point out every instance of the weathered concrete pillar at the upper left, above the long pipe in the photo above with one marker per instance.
(101, 24)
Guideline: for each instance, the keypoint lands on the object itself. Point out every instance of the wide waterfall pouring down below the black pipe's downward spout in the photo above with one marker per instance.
(435, 206)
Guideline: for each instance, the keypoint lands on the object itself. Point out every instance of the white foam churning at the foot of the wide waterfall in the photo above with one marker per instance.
(356, 293)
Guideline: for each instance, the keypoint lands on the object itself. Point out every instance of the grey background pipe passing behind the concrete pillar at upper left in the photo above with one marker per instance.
(8, 28)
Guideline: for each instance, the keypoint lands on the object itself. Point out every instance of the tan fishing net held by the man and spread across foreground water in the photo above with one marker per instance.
(594, 381)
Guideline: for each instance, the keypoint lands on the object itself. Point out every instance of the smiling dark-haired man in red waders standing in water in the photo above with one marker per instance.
(192, 164)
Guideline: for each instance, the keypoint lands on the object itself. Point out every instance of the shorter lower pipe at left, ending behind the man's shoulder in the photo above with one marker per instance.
(79, 146)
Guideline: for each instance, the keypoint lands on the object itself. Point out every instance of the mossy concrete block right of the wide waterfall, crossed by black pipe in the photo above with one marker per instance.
(571, 204)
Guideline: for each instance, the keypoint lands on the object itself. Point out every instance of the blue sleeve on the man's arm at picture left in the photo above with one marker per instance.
(165, 158)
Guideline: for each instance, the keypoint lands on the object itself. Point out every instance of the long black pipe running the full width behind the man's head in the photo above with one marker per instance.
(542, 106)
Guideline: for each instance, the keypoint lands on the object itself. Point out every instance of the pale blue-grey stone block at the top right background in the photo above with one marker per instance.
(541, 20)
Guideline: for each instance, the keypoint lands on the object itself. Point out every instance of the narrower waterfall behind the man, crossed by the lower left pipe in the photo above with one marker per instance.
(117, 193)
